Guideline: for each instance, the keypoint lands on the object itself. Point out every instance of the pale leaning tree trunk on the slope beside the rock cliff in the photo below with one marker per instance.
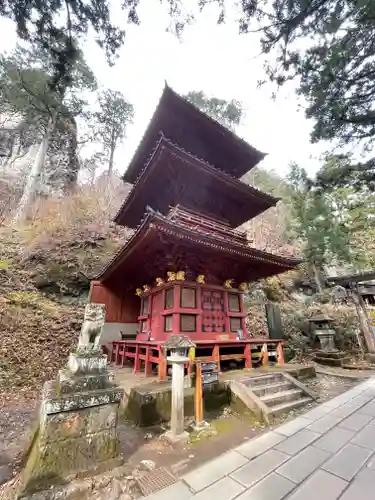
(32, 180)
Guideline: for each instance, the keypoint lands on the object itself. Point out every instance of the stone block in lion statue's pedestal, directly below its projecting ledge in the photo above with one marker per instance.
(69, 424)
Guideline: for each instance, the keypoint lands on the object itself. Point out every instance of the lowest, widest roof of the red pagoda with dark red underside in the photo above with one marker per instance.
(162, 244)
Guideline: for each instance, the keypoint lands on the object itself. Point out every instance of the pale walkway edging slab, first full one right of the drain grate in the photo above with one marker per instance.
(213, 471)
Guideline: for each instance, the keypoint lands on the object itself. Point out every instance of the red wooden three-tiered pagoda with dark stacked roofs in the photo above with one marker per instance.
(185, 268)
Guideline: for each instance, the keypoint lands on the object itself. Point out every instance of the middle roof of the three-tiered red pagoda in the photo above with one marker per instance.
(174, 176)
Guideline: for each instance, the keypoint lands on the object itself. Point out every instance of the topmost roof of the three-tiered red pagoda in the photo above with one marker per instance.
(193, 130)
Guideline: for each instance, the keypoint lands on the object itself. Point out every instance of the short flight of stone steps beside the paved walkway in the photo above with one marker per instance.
(271, 394)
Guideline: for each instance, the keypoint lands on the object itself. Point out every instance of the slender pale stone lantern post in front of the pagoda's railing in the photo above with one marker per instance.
(178, 345)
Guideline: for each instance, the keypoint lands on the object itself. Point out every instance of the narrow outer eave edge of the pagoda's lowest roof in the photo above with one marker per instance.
(157, 223)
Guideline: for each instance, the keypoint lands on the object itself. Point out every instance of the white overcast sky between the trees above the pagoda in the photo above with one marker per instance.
(209, 57)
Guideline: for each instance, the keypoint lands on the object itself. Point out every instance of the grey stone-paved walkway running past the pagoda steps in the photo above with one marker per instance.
(326, 454)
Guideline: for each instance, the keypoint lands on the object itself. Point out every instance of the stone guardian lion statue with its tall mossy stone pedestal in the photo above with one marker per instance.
(77, 429)
